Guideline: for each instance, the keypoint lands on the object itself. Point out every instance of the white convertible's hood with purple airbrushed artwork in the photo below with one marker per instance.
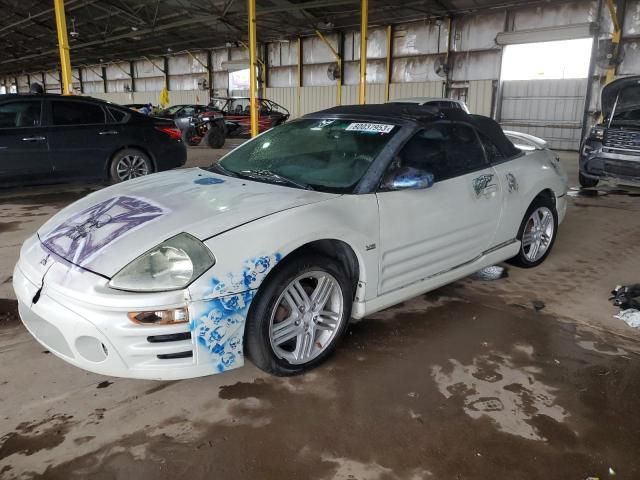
(107, 229)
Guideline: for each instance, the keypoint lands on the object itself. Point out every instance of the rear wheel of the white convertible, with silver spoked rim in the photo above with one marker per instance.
(537, 233)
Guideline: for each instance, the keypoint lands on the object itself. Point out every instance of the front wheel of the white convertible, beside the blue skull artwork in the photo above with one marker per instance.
(299, 315)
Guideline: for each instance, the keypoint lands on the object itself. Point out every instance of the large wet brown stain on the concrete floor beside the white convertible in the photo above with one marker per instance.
(472, 390)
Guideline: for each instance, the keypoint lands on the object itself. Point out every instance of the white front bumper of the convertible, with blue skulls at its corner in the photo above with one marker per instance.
(79, 319)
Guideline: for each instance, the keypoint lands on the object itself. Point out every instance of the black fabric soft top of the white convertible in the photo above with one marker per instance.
(425, 114)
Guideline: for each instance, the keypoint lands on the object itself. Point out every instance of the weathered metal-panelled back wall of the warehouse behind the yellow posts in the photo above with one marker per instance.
(417, 49)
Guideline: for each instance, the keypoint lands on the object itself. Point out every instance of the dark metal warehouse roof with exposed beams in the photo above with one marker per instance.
(110, 30)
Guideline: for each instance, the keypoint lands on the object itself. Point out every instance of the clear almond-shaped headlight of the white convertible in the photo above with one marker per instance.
(172, 265)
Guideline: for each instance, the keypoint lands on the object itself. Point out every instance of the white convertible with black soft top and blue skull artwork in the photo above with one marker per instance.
(270, 252)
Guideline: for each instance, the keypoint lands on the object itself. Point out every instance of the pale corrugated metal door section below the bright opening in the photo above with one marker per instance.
(549, 109)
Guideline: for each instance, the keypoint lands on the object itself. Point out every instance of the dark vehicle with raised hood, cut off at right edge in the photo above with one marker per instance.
(612, 149)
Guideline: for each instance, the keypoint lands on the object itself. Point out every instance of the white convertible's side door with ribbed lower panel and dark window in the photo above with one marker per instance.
(430, 231)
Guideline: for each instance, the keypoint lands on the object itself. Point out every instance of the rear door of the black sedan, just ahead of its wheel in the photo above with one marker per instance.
(80, 139)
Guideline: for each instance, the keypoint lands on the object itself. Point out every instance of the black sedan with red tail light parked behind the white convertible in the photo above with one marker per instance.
(48, 138)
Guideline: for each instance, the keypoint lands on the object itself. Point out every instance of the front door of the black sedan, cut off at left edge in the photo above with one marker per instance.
(24, 147)
